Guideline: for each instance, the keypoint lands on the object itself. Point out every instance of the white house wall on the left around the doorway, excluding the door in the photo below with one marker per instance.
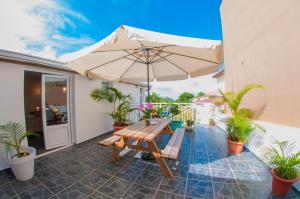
(88, 118)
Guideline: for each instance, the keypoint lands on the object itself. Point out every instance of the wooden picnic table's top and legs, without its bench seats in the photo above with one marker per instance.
(133, 136)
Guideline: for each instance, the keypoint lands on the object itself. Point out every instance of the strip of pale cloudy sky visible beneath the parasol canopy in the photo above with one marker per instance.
(194, 85)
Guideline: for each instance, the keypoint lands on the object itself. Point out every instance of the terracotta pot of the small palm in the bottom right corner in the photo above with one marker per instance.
(280, 186)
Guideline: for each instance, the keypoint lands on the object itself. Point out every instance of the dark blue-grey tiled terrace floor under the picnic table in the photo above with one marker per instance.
(203, 171)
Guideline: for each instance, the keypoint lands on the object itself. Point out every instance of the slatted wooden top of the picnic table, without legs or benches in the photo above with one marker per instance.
(140, 131)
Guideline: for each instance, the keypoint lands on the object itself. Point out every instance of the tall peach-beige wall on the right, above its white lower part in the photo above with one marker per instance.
(261, 45)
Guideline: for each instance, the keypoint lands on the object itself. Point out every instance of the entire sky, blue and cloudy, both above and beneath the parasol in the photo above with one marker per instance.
(52, 28)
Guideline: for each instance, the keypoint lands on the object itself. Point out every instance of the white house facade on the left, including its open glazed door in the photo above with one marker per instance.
(54, 101)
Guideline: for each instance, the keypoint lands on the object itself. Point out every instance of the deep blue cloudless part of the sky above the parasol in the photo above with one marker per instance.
(194, 18)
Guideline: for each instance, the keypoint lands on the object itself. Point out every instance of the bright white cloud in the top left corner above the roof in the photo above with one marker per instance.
(38, 22)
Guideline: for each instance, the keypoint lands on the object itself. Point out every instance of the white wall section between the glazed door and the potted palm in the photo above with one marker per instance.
(90, 116)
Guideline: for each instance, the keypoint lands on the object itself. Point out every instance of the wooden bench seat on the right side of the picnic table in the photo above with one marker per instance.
(171, 151)
